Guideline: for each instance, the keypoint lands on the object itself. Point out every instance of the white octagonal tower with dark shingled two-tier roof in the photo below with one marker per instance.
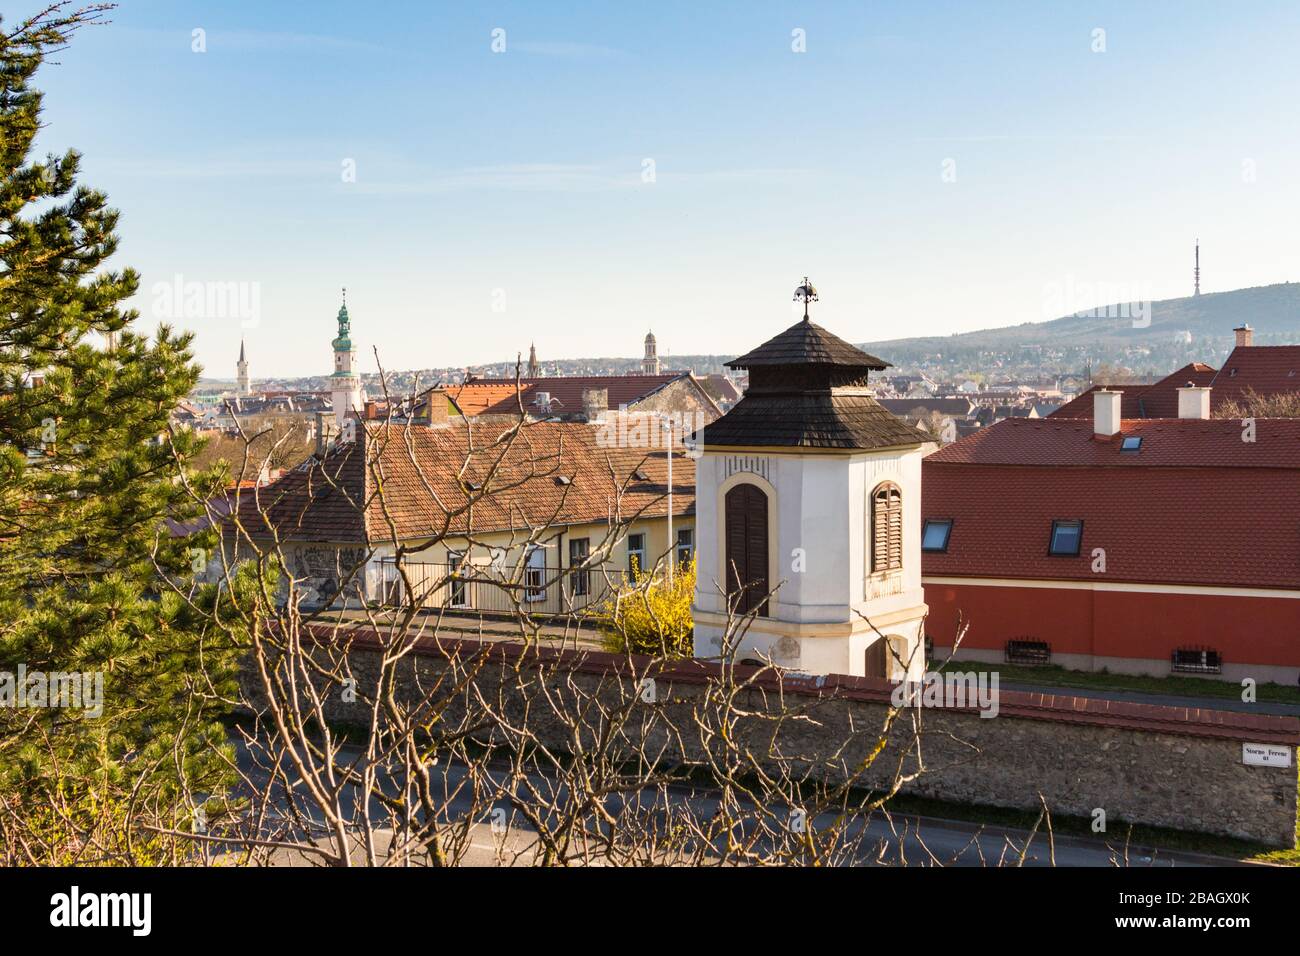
(808, 516)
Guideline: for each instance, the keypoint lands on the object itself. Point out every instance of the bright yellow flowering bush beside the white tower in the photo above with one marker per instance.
(649, 616)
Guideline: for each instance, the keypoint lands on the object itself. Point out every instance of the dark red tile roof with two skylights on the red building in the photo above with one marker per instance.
(1182, 511)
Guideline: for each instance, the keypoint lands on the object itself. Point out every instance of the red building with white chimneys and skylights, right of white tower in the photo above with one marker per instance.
(1150, 546)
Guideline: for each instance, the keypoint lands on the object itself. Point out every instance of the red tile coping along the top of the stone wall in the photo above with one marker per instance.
(1198, 723)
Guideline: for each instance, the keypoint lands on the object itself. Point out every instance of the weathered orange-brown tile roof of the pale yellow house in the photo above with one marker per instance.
(551, 474)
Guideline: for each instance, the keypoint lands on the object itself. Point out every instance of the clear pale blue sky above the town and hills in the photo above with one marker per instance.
(484, 176)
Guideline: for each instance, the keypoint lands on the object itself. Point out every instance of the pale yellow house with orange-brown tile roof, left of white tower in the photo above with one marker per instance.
(489, 516)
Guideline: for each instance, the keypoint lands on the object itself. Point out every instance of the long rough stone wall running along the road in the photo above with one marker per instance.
(1151, 765)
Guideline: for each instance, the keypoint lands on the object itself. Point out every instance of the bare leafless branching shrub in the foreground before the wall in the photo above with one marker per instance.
(387, 733)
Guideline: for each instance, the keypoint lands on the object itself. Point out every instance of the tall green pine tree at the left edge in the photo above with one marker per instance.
(89, 477)
